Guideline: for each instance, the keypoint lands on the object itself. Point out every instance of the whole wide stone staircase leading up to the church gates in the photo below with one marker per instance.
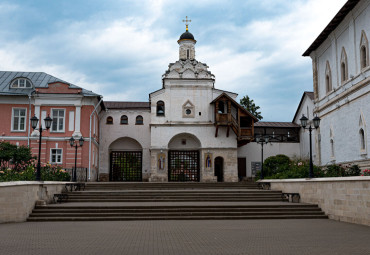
(173, 201)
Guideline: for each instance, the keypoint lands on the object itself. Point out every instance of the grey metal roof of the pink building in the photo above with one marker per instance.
(38, 79)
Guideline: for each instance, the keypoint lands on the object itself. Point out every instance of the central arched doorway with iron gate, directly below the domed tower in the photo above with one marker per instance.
(183, 158)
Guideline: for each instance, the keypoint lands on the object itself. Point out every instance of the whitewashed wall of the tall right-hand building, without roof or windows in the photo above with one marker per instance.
(340, 109)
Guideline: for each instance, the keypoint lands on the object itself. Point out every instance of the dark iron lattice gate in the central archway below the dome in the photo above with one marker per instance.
(183, 166)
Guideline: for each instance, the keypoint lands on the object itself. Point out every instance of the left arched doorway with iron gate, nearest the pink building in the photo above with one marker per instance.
(125, 160)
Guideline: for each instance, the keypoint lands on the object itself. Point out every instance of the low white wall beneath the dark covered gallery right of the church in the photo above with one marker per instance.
(252, 152)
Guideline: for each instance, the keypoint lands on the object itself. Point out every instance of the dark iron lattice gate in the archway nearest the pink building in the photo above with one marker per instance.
(126, 166)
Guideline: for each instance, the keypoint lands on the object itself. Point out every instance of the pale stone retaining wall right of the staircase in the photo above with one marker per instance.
(342, 198)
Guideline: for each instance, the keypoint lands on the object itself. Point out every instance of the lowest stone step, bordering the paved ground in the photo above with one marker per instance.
(135, 218)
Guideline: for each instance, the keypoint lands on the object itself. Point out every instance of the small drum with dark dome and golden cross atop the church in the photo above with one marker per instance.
(187, 43)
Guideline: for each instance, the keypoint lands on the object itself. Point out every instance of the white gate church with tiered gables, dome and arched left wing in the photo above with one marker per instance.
(188, 131)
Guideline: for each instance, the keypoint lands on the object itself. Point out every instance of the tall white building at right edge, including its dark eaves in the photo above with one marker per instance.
(341, 82)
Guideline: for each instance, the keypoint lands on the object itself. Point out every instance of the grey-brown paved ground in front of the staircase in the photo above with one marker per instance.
(185, 237)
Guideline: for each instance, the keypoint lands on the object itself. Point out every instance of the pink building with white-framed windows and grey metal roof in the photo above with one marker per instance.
(73, 109)
